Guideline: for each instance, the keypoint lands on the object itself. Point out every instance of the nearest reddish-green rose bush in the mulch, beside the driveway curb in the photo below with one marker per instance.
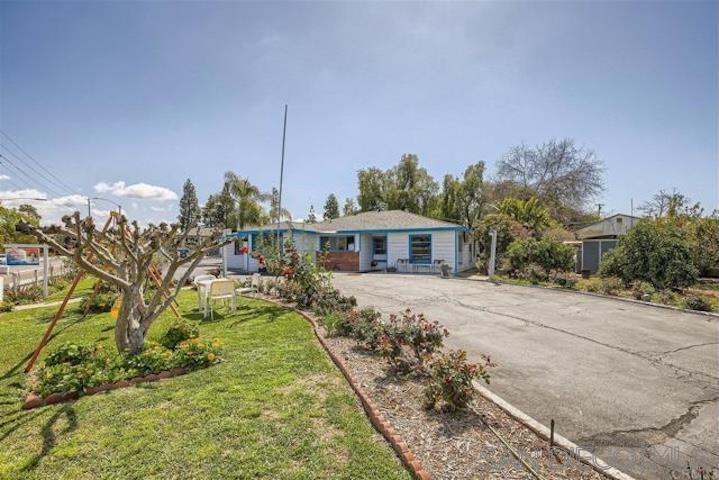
(451, 379)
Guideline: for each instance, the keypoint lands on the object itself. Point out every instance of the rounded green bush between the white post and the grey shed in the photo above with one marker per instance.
(547, 254)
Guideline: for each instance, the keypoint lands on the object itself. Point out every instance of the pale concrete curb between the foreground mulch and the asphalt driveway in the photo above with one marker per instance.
(581, 454)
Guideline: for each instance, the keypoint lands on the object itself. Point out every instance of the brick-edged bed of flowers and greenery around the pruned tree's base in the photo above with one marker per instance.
(74, 370)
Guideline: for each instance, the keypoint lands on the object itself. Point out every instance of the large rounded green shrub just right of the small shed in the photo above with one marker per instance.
(654, 252)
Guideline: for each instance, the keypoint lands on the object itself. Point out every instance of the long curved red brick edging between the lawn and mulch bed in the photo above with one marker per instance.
(378, 421)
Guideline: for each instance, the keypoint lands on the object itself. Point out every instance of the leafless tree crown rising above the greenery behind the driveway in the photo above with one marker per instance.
(559, 172)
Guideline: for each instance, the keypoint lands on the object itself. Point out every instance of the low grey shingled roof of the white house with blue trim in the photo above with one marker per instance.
(387, 220)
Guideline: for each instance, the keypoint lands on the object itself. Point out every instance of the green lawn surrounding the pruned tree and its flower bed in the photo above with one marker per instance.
(275, 408)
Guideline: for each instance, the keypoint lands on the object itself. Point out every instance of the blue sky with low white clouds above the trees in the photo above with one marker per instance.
(155, 92)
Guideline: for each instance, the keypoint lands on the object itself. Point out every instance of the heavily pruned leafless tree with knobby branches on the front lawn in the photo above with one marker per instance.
(122, 256)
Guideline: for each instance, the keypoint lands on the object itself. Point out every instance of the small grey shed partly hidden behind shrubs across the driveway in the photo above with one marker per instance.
(600, 237)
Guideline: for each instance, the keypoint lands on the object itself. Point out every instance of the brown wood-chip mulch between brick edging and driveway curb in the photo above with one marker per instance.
(456, 445)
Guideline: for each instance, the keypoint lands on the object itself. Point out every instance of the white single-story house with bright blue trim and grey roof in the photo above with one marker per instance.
(392, 240)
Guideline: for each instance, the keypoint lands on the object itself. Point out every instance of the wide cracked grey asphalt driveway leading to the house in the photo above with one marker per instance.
(637, 385)
